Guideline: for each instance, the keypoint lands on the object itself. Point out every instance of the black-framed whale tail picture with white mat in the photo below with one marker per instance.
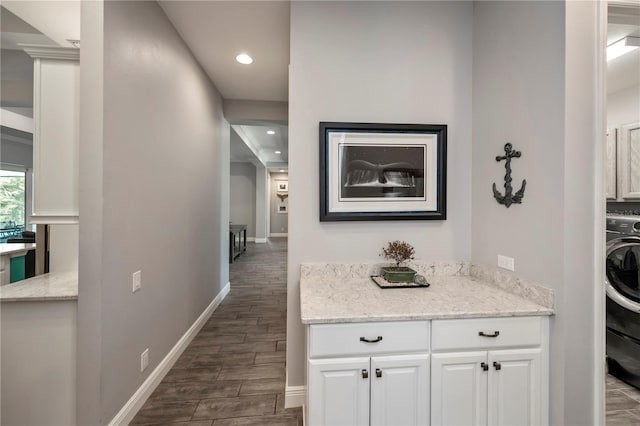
(379, 171)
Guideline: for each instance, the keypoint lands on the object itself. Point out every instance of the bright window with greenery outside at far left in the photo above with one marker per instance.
(12, 204)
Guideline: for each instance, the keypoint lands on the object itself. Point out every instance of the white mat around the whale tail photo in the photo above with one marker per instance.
(382, 204)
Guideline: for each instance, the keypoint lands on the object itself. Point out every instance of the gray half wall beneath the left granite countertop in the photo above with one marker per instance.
(38, 384)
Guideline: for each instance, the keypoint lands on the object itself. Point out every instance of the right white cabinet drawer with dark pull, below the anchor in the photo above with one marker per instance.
(498, 332)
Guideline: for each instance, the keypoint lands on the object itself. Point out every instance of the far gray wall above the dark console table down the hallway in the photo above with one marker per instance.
(242, 197)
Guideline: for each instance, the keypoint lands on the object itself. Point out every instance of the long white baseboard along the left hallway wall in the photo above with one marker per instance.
(131, 408)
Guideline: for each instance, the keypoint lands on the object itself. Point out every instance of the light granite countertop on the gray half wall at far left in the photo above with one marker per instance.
(46, 287)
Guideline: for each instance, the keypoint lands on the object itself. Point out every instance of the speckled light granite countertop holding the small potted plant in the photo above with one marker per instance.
(325, 300)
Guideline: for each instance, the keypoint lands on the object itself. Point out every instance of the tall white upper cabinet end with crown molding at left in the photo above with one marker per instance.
(56, 99)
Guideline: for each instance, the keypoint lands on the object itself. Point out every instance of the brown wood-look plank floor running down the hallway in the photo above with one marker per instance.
(233, 372)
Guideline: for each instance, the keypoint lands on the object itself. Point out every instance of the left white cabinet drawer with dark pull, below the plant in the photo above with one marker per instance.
(384, 337)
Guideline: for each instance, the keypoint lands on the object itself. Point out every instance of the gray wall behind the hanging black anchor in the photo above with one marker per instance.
(529, 112)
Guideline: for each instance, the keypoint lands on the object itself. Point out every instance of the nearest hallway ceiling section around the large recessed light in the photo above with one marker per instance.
(217, 31)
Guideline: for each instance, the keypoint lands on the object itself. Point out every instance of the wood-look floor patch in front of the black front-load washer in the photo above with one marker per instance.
(623, 403)
